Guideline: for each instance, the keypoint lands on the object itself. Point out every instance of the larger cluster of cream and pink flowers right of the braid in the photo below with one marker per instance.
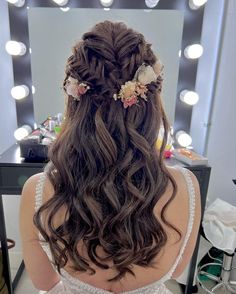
(131, 90)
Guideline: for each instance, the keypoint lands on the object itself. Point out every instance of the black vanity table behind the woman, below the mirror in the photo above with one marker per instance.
(14, 171)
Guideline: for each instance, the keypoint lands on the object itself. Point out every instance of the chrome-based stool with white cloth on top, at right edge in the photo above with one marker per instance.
(219, 226)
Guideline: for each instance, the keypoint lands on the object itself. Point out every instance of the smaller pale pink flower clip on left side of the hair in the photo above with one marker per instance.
(76, 89)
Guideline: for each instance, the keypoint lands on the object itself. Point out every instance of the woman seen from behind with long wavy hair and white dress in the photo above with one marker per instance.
(107, 215)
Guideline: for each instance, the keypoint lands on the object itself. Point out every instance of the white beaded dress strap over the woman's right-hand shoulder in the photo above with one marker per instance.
(192, 204)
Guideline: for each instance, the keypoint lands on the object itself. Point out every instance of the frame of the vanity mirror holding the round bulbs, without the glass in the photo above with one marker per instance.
(192, 28)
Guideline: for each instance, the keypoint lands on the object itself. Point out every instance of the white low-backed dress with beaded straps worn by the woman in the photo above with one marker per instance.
(71, 285)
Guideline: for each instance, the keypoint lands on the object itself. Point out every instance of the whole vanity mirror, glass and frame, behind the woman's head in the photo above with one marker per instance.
(42, 25)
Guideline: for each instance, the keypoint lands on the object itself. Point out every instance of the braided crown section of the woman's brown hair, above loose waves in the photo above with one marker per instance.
(107, 58)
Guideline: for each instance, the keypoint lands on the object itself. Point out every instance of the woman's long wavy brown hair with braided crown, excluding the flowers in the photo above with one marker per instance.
(104, 166)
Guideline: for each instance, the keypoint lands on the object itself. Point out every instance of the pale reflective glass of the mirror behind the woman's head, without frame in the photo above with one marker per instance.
(51, 44)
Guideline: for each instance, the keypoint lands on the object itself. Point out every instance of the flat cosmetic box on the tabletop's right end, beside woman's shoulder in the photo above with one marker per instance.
(189, 156)
